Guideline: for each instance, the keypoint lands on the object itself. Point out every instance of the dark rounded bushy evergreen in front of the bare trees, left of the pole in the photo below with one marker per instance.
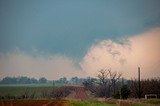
(125, 92)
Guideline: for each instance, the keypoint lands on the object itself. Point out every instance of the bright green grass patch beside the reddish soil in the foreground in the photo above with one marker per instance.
(89, 103)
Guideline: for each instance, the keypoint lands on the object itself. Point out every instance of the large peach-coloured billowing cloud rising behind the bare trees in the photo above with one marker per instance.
(141, 50)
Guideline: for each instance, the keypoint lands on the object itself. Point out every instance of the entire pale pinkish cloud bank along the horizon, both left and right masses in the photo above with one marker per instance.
(125, 56)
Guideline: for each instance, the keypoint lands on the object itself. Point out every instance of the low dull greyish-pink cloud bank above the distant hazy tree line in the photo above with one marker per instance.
(18, 63)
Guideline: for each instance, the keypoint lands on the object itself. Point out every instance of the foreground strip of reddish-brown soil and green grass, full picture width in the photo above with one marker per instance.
(53, 102)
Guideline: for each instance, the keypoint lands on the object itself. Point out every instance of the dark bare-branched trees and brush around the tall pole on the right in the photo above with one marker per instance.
(112, 84)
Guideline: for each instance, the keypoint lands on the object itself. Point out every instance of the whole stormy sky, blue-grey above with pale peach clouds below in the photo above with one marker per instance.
(56, 38)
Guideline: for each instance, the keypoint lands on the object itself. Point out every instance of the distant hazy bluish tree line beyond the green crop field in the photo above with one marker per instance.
(42, 80)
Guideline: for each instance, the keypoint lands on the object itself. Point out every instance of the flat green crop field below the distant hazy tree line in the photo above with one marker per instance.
(19, 89)
